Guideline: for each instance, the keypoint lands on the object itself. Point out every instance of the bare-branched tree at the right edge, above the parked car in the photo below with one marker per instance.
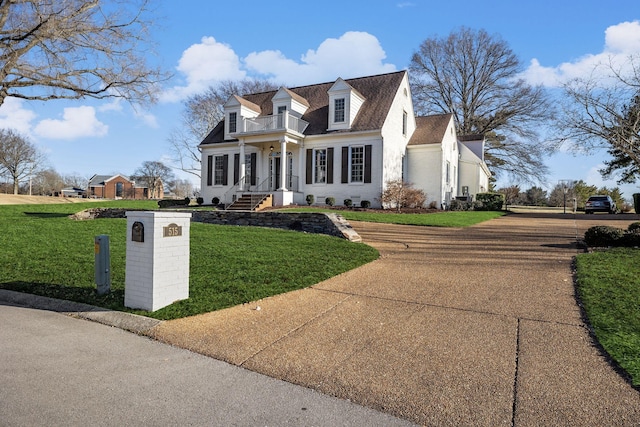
(603, 111)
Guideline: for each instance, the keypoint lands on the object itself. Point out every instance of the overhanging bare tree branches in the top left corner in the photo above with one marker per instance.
(70, 49)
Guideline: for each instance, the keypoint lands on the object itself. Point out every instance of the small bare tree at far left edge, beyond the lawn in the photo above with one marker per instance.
(19, 158)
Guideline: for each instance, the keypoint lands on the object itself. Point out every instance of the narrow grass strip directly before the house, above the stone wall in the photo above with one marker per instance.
(439, 219)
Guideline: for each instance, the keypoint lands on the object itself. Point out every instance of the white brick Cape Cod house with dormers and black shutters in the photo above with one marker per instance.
(344, 139)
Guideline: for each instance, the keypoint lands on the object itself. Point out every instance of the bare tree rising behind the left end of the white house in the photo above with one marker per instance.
(202, 112)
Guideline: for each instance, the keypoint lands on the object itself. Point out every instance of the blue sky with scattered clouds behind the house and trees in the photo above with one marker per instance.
(297, 43)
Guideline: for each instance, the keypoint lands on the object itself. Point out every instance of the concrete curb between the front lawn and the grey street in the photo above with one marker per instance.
(130, 322)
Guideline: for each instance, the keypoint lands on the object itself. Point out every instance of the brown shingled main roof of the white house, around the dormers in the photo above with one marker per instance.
(378, 91)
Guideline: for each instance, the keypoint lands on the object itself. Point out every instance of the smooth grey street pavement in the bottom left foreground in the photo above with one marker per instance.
(57, 370)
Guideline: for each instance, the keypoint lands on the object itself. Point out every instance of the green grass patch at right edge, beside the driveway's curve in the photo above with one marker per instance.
(609, 287)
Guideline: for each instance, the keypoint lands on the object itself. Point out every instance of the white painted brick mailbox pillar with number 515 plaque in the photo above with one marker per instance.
(157, 270)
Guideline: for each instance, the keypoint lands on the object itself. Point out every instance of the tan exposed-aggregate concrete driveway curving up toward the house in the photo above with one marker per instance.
(476, 326)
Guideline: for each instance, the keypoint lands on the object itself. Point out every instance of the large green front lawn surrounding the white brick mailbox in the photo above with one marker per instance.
(43, 252)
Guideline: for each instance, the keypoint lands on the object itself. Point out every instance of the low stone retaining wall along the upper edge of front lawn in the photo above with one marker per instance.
(308, 222)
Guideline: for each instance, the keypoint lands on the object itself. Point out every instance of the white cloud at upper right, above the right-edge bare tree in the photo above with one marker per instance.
(621, 41)
